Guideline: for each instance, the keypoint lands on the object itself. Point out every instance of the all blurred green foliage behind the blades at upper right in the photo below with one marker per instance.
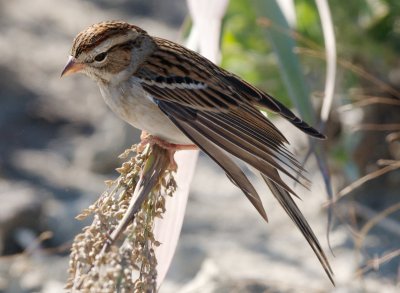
(367, 34)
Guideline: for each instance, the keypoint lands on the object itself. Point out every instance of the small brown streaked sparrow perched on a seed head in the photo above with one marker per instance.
(181, 100)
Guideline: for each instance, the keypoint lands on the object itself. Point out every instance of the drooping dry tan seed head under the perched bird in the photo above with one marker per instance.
(116, 252)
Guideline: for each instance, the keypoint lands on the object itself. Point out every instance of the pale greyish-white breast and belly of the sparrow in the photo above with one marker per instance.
(133, 106)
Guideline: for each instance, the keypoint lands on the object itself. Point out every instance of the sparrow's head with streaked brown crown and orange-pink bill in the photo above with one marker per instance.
(109, 51)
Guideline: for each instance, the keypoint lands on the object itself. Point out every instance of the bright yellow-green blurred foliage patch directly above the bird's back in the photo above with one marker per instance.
(246, 51)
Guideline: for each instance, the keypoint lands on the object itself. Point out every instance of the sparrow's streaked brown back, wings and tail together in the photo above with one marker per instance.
(217, 110)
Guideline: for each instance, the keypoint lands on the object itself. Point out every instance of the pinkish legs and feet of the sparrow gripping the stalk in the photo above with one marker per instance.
(147, 138)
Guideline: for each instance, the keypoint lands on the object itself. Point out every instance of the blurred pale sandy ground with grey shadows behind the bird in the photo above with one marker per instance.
(59, 143)
